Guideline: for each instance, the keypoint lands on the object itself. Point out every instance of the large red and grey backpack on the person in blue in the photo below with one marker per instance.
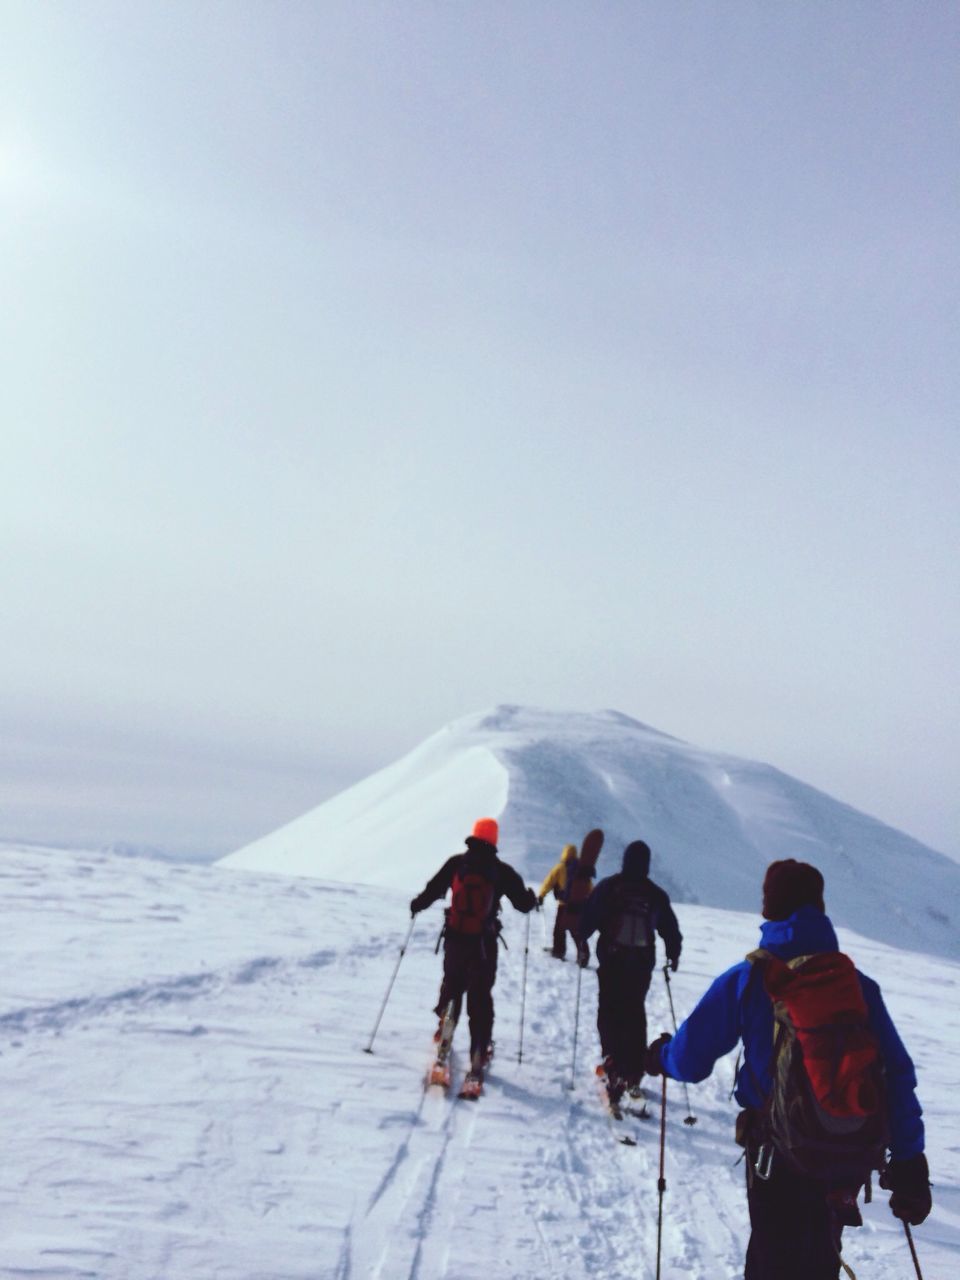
(826, 1112)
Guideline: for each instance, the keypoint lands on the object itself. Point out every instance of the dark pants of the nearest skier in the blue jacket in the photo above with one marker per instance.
(793, 1233)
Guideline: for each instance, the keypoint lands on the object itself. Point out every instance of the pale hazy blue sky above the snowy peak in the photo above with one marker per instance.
(364, 365)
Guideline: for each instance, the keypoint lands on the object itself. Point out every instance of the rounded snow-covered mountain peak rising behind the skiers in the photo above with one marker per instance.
(714, 821)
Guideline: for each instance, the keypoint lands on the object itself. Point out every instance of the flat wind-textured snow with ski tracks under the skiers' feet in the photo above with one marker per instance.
(186, 1092)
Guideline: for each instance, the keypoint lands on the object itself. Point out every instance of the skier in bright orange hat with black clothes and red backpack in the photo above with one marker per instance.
(477, 880)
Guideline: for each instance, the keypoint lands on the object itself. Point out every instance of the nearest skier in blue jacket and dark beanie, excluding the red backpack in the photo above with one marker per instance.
(794, 1233)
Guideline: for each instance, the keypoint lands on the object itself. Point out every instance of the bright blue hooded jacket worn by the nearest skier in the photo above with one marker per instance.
(737, 1009)
